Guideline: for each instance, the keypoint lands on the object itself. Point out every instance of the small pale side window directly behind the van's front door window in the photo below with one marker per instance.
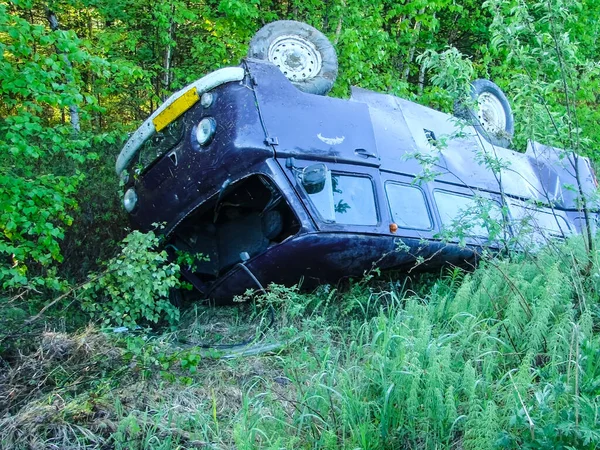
(408, 206)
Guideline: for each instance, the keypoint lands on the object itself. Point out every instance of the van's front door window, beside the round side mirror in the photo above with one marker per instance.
(346, 199)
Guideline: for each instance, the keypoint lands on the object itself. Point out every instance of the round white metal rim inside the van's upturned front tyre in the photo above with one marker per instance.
(296, 57)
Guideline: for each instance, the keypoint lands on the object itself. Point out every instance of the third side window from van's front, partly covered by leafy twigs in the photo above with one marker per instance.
(464, 214)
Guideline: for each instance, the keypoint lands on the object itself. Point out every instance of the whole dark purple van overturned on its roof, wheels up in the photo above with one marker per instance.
(269, 181)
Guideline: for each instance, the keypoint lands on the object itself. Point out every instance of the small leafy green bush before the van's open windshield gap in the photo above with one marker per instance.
(135, 286)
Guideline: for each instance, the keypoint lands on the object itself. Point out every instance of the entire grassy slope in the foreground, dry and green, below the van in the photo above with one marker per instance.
(505, 357)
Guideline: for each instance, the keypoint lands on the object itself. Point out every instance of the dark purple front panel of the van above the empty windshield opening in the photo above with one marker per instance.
(188, 175)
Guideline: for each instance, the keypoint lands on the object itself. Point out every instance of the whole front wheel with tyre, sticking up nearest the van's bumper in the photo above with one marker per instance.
(302, 53)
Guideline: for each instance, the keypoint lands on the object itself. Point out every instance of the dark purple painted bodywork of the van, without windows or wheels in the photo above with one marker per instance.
(266, 126)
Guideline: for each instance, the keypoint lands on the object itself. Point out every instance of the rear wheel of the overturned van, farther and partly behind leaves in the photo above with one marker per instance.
(499, 134)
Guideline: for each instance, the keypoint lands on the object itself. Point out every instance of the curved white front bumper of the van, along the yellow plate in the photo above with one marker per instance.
(147, 129)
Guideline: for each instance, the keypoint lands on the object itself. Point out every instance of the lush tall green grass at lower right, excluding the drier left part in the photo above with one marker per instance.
(505, 356)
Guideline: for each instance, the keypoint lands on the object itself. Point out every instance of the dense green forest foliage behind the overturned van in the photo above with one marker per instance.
(77, 74)
